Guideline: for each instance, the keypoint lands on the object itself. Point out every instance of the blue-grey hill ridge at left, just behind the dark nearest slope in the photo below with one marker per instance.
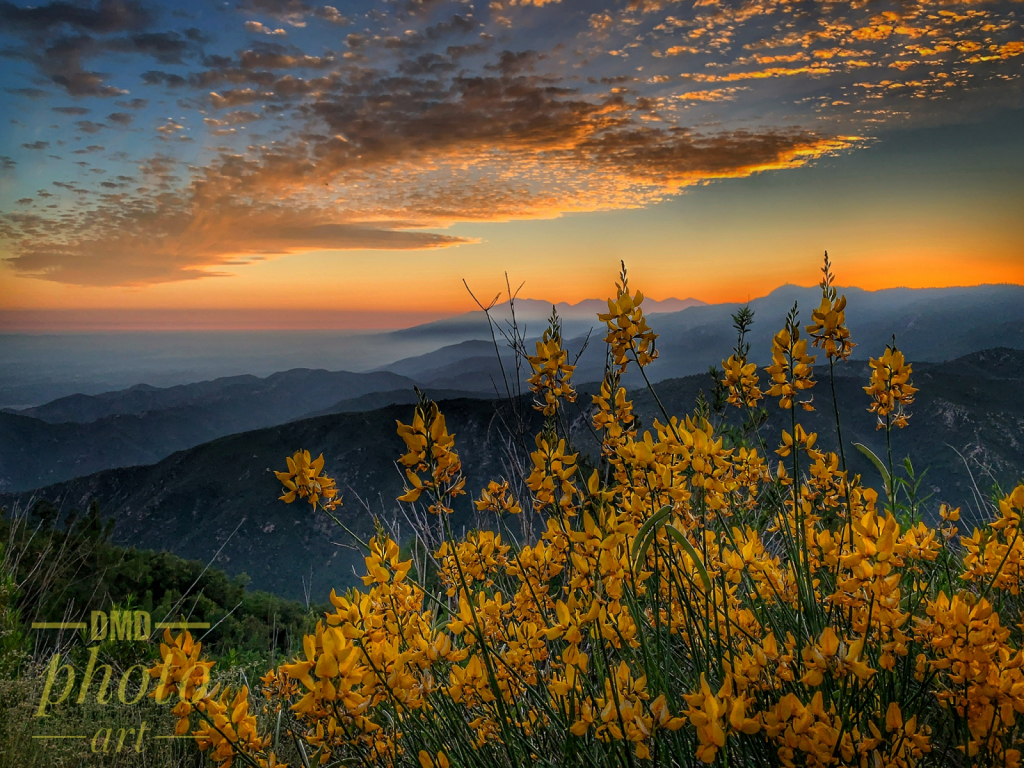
(82, 435)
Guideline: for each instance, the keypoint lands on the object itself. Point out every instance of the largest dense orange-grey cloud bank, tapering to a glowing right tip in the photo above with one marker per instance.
(397, 157)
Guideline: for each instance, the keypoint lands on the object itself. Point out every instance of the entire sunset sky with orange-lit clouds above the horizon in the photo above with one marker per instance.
(296, 164)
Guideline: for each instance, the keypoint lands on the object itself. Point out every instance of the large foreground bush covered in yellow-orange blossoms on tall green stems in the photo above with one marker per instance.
(686, 602)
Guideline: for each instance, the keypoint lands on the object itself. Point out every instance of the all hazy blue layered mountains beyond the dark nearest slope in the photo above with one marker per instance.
(83, 434)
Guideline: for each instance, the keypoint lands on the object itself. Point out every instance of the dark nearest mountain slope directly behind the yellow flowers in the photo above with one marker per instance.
(193, 501)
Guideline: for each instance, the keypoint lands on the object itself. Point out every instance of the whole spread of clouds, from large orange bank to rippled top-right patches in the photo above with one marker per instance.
(436, 112)
